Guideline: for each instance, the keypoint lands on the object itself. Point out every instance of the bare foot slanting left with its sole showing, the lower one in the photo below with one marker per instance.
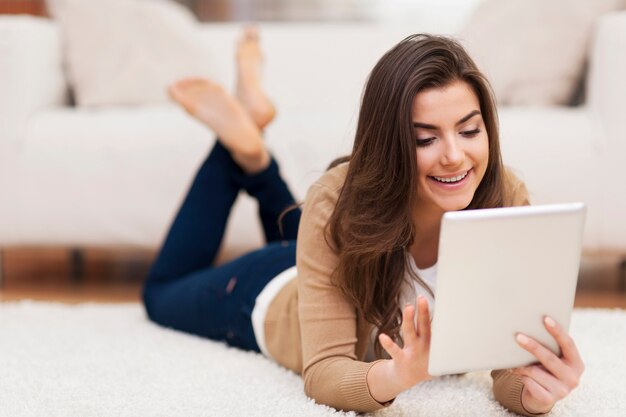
(209, 103)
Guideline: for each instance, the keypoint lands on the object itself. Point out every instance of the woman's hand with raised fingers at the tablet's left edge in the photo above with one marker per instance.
(410, 363)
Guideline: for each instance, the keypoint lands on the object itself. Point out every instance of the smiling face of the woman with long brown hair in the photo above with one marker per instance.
(452, 147)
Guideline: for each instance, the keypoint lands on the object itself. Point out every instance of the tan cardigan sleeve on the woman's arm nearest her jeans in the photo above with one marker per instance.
(328, 322)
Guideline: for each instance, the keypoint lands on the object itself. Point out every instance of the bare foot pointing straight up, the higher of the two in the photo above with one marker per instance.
(249, 91)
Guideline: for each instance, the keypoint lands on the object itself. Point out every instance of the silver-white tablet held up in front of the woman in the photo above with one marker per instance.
(500, 271)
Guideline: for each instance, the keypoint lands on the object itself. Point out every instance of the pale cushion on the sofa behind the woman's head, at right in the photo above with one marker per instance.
(533, 51)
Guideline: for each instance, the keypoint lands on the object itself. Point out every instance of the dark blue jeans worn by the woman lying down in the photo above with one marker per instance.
(183, 290)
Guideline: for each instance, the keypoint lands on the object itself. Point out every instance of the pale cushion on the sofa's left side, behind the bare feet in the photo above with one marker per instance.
(128, 51)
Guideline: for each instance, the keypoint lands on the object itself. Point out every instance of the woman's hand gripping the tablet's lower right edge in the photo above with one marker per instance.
(555, 377)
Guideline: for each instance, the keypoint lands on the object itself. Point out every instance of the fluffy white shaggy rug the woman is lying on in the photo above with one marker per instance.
(109, 360)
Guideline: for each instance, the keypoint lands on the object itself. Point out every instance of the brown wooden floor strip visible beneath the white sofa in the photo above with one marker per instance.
(117, 276)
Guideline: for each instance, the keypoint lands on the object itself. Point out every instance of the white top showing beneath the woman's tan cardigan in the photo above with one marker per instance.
(271, 290)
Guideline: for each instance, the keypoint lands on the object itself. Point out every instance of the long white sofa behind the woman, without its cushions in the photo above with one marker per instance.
(115, 176)
